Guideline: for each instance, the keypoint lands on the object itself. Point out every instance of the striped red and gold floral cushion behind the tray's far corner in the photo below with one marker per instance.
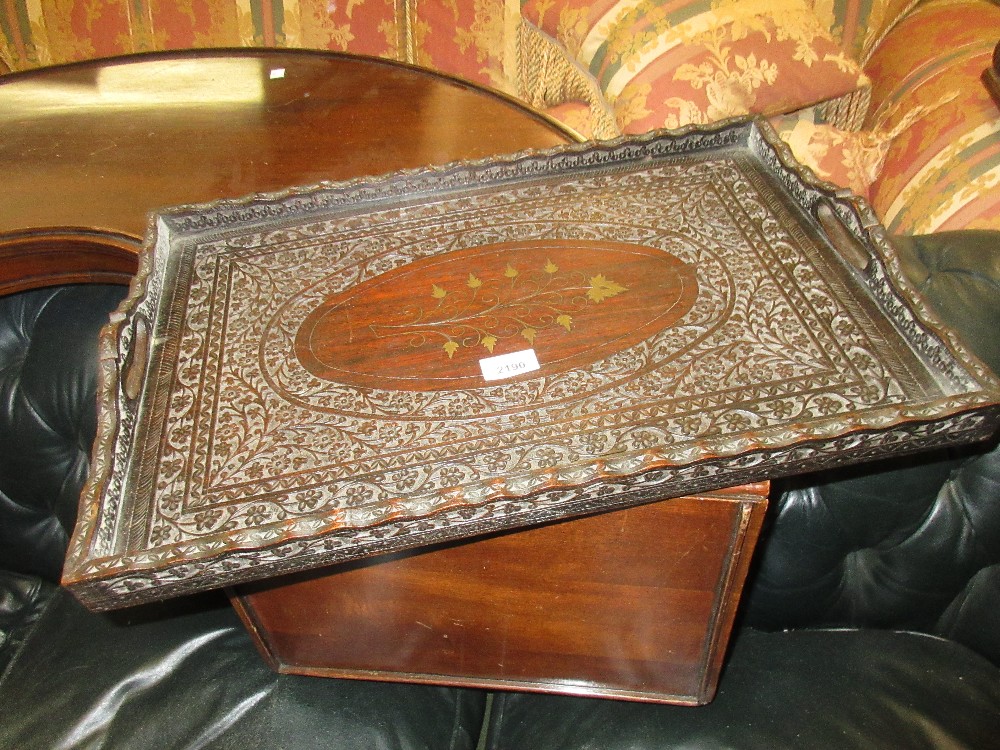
(669, 63)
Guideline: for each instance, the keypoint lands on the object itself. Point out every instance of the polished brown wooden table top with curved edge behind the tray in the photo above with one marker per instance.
(89, 150)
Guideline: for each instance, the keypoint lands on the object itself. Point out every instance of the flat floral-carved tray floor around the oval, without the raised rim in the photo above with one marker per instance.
(739, 362)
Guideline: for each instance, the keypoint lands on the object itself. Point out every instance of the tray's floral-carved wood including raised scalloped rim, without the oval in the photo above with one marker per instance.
(204, 532)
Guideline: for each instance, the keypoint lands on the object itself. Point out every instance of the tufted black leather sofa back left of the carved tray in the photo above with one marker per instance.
(48, 381)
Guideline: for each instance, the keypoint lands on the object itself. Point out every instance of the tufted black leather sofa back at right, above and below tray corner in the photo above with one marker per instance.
(909, 543)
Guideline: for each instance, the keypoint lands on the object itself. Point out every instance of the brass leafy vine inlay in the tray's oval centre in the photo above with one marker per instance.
(483, 311)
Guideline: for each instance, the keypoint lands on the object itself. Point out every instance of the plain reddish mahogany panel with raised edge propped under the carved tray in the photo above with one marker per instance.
(633, 604)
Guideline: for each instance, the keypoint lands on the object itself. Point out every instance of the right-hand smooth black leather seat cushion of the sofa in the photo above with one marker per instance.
(795, 690)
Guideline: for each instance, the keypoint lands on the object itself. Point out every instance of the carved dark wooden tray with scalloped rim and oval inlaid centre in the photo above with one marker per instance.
(297, 379)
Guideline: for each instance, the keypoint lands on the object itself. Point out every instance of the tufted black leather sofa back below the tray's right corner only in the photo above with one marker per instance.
(911, 547)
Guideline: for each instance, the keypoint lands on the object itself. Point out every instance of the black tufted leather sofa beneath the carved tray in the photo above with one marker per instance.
(871, 618)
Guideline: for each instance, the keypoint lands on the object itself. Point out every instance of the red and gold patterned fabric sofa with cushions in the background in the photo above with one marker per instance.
(928, 156)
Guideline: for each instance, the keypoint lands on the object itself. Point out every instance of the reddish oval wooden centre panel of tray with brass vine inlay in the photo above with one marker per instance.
(426, 326)
